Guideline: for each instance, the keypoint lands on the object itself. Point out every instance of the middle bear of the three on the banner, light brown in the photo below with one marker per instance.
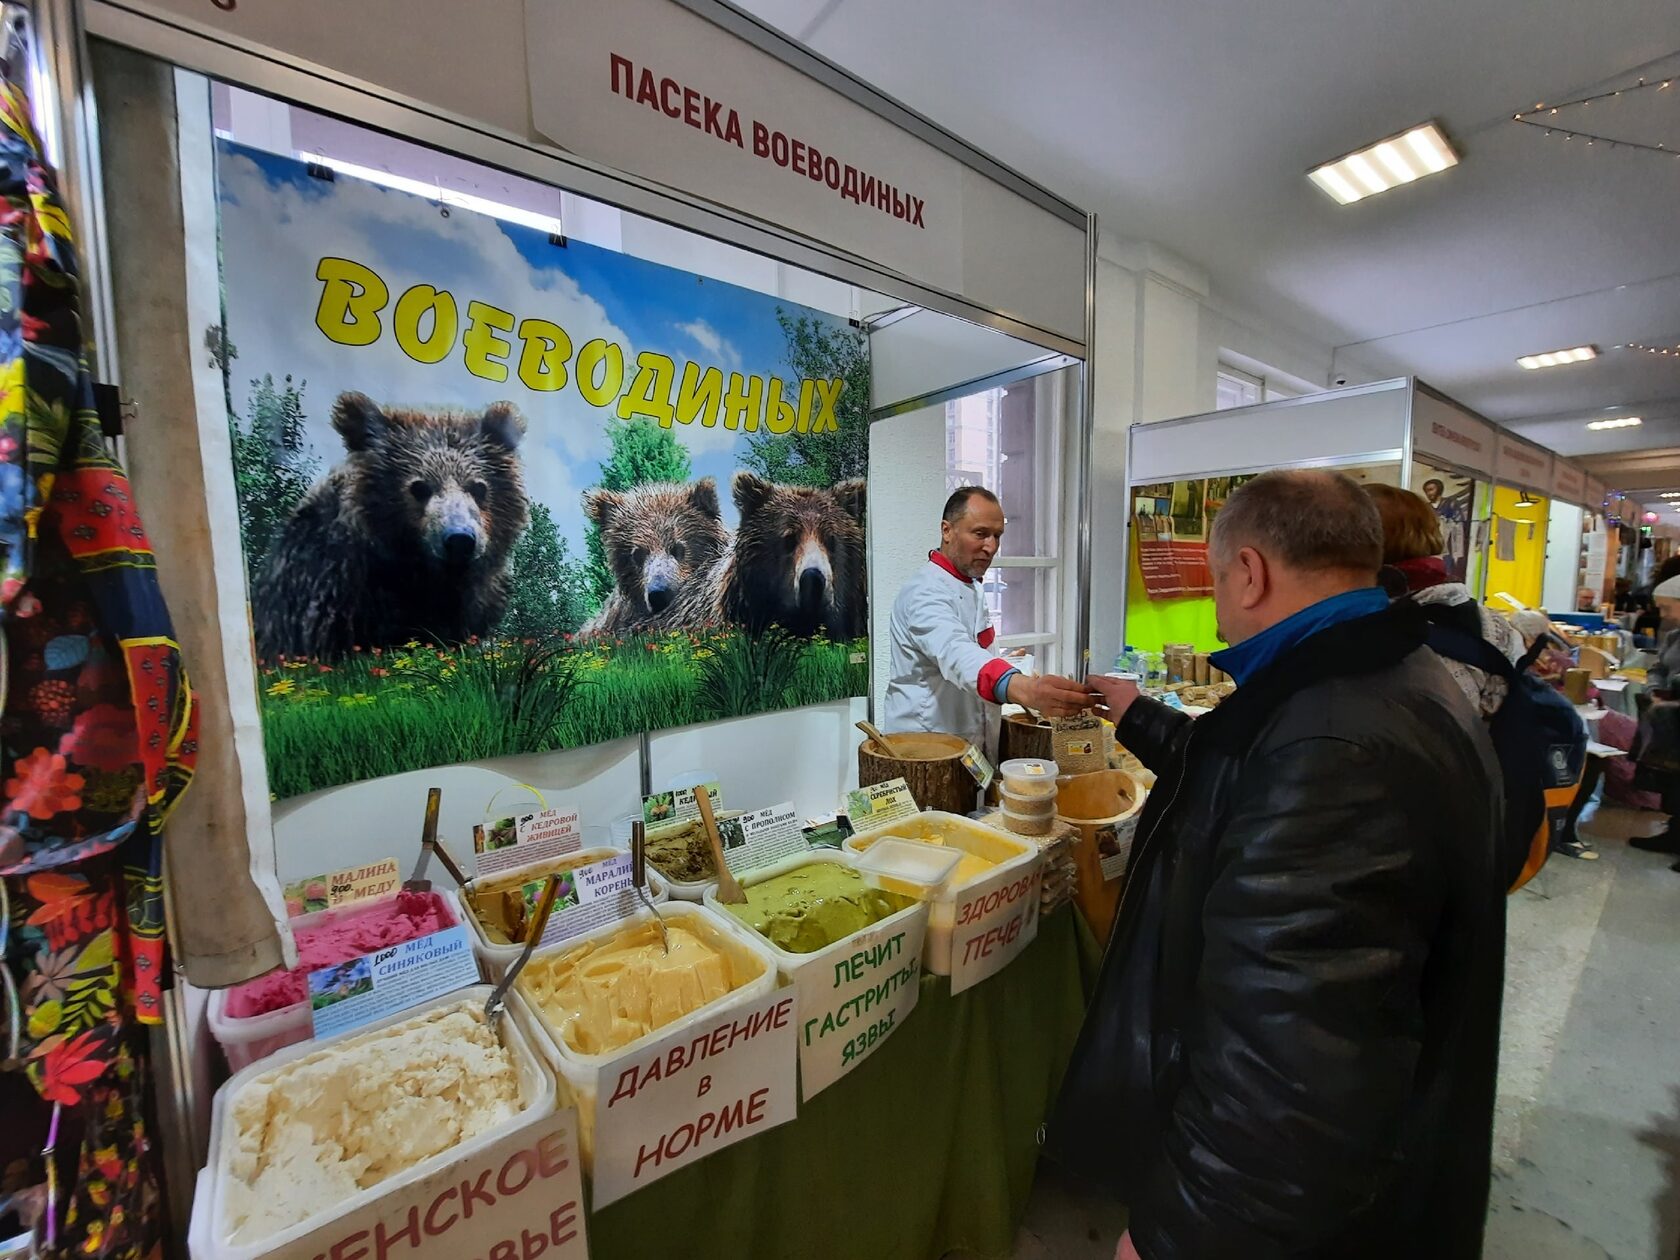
(658, 538)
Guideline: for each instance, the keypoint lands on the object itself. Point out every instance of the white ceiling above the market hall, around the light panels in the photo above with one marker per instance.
(1192, 125)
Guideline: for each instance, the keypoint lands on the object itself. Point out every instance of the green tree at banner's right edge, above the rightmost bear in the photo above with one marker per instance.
(821, 352)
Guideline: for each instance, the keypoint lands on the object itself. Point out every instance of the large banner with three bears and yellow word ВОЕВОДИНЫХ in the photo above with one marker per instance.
(508, 493)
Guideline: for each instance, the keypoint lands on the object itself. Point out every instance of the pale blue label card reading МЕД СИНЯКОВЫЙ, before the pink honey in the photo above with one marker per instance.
(372, 987)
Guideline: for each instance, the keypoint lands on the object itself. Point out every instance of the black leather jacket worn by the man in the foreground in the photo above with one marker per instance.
(1294, 1037)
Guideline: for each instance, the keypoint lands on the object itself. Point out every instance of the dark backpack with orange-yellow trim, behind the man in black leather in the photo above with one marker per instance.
(1541, 747)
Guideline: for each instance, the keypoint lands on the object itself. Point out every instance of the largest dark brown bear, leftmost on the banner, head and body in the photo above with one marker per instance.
(407, 538)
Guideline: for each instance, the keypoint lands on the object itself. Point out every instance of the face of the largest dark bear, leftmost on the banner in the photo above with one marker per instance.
(443, 490)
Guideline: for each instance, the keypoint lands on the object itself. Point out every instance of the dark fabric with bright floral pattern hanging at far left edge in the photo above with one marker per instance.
(98, 728)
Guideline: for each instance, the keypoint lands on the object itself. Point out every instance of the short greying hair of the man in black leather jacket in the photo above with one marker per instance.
(1308, 520)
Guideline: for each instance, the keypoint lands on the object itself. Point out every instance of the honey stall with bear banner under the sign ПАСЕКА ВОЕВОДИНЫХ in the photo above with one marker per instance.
(639, 268)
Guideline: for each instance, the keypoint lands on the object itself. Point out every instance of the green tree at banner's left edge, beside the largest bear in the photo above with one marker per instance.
(273, 465)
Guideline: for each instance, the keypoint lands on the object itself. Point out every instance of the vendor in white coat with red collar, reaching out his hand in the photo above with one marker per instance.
(945, 675)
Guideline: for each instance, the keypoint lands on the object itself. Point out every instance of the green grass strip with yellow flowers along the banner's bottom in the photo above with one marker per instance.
(384, 711)
